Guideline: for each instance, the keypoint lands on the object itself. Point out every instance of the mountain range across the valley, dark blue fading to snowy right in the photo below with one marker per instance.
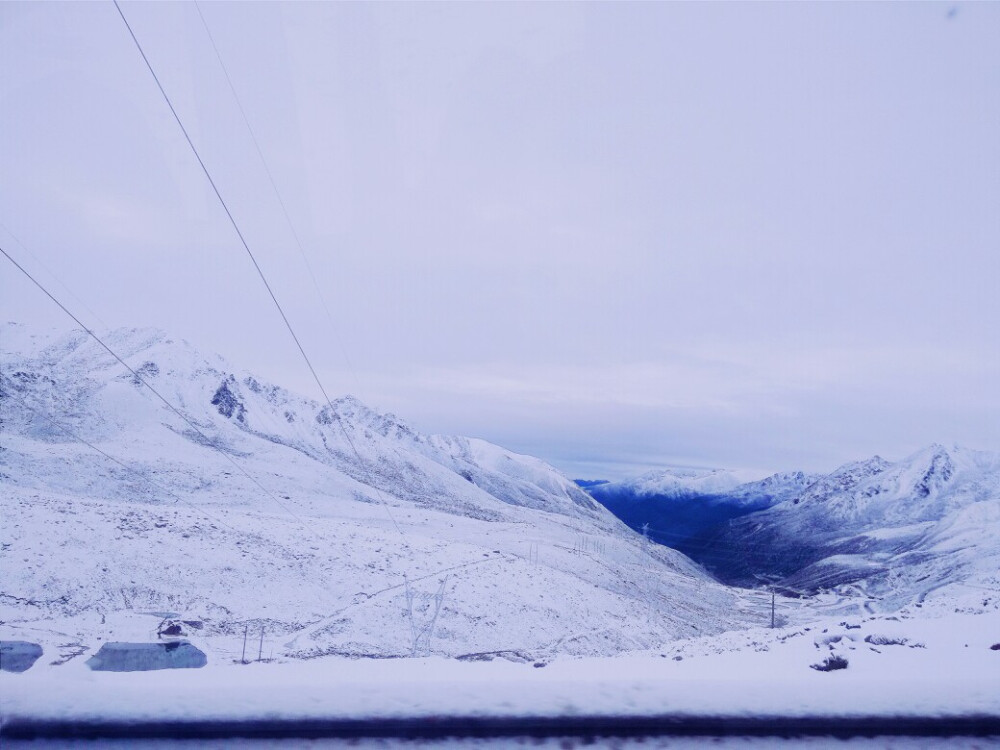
(871, 521)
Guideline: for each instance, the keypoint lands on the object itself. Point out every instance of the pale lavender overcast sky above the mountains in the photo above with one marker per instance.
(615, 236)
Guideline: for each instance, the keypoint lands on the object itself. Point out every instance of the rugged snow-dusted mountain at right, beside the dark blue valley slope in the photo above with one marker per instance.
(902, 529)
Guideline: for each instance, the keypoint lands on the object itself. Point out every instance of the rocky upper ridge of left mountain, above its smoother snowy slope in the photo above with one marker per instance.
(99, 405)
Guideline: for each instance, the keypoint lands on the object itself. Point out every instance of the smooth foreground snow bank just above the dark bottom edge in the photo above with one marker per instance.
(936, 666)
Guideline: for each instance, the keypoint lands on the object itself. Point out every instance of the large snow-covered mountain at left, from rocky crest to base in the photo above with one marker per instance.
(255, 512)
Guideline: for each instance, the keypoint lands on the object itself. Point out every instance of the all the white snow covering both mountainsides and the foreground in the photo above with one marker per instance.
(507, 590)
